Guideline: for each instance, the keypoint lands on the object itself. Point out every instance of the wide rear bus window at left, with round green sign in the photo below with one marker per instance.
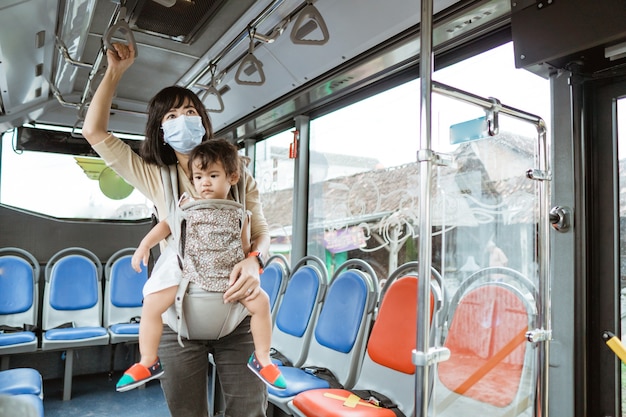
(65, 186)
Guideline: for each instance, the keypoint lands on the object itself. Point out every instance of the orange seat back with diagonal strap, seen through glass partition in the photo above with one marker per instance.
(487, 346)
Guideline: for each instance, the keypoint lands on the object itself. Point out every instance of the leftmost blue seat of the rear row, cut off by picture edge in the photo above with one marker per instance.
(19, 295)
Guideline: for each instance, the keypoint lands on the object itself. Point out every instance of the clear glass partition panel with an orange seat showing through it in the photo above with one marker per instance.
(485, 217)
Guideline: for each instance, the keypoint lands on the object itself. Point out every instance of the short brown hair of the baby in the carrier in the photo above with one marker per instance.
(212, 151)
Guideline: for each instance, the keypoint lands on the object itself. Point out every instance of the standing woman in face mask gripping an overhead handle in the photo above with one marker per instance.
(185, 382)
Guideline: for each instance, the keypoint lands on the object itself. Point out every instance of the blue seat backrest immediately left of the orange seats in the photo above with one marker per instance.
(343, 325)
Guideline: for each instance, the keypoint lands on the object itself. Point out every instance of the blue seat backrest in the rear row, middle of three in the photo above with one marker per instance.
(72, 292)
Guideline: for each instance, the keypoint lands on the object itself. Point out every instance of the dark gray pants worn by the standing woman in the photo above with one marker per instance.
(185, 380)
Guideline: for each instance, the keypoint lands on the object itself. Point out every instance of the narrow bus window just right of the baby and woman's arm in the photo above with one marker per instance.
(274, 172)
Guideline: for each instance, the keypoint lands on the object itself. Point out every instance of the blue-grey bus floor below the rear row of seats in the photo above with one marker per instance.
(95, 395)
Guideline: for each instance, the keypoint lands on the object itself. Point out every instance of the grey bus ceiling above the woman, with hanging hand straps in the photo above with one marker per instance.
(256, 64)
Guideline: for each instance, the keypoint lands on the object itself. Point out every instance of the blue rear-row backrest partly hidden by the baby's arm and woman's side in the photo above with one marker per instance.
(123, 288)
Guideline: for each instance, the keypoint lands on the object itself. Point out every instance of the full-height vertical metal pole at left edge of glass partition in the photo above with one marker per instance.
(424, 157)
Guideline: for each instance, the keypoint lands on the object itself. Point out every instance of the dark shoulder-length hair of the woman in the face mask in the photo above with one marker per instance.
(153, 149)
